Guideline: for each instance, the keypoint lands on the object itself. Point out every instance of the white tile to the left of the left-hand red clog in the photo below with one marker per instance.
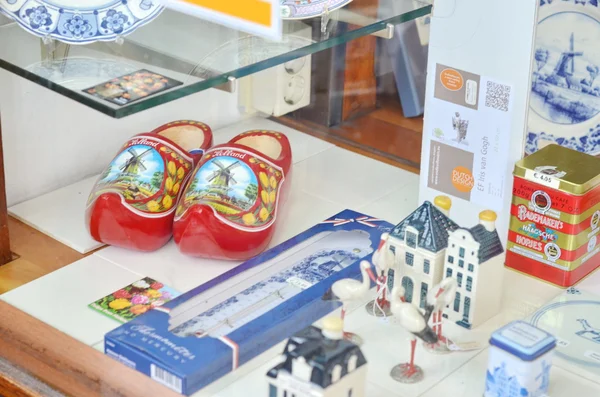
(59, 214)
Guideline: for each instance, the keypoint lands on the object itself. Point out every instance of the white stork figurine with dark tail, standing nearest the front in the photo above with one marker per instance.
(414, 321)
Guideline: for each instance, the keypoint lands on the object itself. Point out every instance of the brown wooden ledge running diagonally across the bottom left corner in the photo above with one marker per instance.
(66, 364)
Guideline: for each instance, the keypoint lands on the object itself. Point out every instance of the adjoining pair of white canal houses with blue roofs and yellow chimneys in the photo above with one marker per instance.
(428, 246)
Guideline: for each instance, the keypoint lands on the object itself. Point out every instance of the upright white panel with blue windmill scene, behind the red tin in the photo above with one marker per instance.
(564, 106)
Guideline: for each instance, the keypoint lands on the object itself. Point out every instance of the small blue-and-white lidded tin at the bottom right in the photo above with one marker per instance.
(520, 358)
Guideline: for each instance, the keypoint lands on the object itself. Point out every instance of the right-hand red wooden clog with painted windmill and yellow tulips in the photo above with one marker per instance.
(229, 208)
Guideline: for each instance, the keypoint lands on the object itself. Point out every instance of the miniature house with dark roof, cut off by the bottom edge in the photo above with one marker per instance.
(319, 363)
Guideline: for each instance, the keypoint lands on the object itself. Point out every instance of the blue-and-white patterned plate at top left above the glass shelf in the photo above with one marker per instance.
(81, 21)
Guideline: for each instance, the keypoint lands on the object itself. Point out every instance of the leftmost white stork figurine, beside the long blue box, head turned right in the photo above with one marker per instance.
(348, 289)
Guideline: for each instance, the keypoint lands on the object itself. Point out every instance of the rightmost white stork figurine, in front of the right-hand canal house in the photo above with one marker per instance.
(440, 296)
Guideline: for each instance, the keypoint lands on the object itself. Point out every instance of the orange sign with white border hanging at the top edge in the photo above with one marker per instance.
(258, 17)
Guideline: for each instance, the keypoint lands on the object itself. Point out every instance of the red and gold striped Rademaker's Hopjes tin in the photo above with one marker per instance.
(555, 215)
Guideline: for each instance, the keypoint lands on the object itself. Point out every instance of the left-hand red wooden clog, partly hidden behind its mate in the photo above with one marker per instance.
(133, 203)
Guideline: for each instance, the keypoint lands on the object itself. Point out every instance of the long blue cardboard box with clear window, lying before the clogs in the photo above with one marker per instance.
(209, 331)
